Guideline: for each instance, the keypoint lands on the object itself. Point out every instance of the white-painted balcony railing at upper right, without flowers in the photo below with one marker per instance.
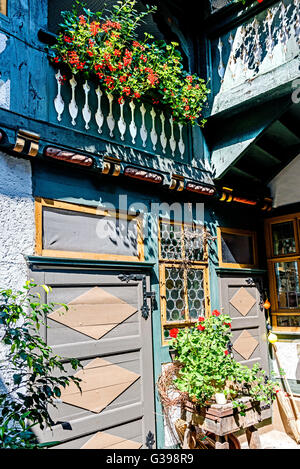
(257, 46)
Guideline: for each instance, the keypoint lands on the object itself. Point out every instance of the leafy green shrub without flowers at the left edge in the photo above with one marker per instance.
(33, 368)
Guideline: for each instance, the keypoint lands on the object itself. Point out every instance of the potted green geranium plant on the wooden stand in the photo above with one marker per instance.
(208, 365)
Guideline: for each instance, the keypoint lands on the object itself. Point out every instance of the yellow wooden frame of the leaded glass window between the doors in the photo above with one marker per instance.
(178, 263)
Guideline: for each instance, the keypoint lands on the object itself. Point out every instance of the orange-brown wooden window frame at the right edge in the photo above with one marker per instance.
(273, 259)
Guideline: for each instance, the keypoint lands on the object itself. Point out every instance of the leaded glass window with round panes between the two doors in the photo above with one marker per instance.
(183, 275)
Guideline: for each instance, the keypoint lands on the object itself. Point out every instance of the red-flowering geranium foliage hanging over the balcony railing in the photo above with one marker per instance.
(103, 46)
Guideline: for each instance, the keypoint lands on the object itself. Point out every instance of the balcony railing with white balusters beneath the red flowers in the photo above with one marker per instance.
(84, 106)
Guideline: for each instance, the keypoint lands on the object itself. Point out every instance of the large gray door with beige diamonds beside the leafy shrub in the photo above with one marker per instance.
(104, 329)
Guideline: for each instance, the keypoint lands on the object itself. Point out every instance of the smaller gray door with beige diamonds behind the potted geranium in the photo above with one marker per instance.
(240, 298)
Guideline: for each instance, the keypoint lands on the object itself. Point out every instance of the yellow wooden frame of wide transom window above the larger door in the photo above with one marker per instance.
(51, 203)
